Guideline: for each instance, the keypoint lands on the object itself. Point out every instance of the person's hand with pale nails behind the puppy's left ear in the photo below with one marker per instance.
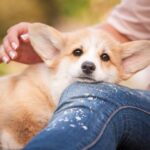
(16, 46)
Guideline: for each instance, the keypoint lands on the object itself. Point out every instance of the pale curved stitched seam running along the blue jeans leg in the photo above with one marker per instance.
(107, 122)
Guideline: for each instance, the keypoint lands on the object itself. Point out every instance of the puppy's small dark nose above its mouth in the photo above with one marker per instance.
(88, 67)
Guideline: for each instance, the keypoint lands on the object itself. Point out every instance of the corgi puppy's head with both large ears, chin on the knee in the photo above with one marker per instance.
(88, 55)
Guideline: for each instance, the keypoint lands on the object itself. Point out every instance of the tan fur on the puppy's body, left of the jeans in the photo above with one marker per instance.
(25, 105)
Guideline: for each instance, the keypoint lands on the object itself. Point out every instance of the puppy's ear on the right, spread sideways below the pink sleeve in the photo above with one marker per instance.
(135, 57)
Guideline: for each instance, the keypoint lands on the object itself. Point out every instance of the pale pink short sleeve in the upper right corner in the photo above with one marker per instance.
(132, 18)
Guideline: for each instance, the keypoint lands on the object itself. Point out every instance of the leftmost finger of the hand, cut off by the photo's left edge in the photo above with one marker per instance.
(3, 56)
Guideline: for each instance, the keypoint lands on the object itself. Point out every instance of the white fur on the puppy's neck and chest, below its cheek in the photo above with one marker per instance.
(55, 83)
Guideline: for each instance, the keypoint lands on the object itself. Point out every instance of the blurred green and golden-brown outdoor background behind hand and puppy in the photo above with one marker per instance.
(62, 14)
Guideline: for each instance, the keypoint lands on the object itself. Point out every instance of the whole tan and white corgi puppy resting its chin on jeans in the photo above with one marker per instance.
(28, 99)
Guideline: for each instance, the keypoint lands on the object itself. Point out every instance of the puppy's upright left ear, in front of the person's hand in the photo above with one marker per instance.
(46, 41)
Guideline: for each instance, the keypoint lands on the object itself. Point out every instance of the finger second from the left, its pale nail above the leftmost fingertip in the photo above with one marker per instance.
(8, 49)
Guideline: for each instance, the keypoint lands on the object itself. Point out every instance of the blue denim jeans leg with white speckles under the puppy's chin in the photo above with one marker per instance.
(99, 116)
